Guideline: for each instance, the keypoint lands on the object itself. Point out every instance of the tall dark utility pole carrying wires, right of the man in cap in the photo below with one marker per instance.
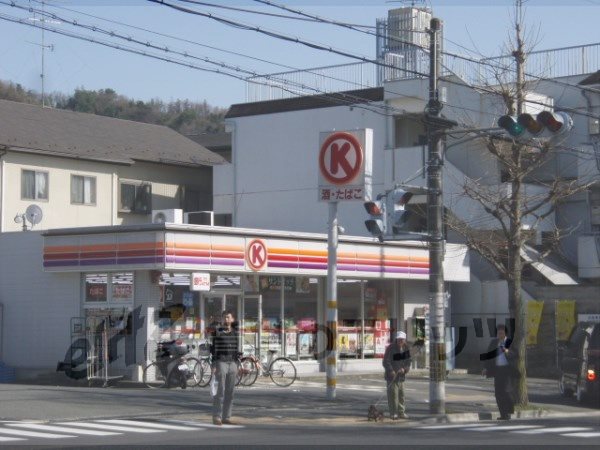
(435, 210)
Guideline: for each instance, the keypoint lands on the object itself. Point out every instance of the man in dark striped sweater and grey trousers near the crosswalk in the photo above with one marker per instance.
(224, 352)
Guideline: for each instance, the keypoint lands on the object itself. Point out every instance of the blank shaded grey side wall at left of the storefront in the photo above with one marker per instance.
(38, 306)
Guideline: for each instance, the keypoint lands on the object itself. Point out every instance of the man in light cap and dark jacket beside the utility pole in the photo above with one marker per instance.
(396, 362)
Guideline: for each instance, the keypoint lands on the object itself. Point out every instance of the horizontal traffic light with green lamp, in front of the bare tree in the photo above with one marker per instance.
(545, 124)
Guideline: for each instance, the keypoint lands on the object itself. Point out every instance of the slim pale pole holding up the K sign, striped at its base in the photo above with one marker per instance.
(332, 239)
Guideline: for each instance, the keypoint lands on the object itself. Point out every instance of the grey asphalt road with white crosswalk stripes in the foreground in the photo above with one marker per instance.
(295, 416)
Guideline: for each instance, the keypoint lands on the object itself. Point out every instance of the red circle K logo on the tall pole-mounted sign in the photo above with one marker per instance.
(340, 158)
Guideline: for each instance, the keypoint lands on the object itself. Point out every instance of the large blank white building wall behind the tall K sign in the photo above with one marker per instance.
(276, 169)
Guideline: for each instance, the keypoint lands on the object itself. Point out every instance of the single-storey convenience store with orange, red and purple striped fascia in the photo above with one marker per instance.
(155, 282)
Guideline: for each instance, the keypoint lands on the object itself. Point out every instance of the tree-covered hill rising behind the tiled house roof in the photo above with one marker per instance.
(184, 116)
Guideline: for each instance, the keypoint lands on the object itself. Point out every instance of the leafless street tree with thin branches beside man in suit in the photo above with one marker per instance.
(515, 209)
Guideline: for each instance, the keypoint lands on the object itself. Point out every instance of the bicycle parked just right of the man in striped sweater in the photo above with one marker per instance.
(282, 370)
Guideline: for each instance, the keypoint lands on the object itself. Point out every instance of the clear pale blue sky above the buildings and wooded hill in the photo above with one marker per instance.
(475, 28)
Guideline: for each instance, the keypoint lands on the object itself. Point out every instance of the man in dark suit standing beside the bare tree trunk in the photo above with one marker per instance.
(500, 363)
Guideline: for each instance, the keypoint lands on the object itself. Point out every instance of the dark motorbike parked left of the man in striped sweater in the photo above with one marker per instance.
(172, 367)
